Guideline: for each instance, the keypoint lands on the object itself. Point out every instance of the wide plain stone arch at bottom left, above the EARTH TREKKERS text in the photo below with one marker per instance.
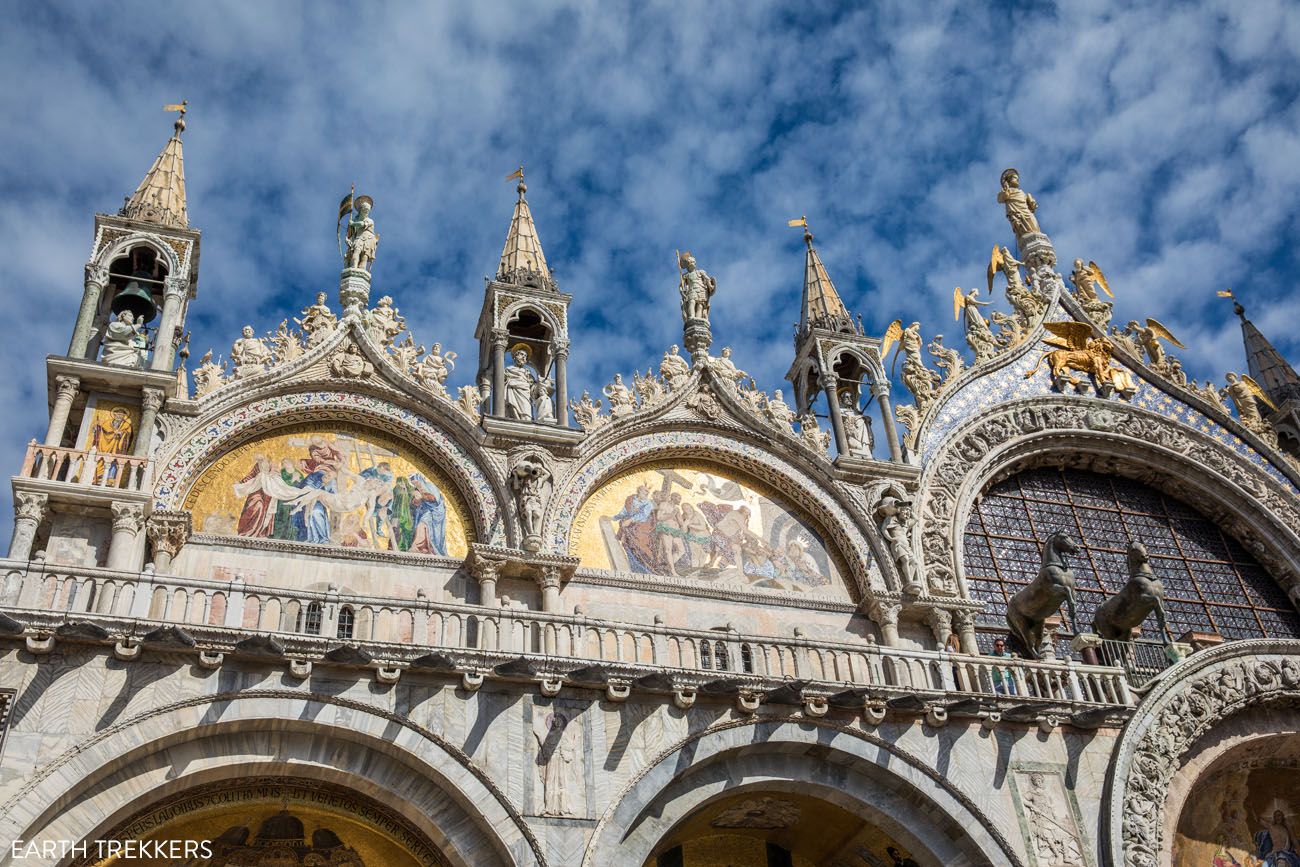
(387, 758)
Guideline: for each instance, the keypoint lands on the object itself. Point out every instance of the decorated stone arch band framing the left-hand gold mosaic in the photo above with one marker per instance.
(475, 478)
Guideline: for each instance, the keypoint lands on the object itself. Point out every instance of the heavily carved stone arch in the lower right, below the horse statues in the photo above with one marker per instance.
(1185, 708)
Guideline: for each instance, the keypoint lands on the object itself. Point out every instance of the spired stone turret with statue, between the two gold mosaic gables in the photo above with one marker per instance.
(523, 335)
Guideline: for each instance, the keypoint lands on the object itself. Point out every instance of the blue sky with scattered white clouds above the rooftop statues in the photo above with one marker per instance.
(1162, 141)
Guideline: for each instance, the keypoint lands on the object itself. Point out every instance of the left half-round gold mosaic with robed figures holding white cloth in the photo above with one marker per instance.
(340, 485)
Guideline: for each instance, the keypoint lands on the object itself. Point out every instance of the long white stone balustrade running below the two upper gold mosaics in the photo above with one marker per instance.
(398, 631)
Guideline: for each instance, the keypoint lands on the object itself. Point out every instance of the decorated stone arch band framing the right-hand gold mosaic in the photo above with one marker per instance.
(848, 531)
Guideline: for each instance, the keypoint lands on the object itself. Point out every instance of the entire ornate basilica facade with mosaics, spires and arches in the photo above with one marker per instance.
(1028, 599)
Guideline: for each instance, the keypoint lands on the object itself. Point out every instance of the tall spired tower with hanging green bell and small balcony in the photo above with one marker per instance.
(84, 493)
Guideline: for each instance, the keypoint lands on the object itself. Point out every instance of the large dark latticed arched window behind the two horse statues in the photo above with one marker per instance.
(1212, 584)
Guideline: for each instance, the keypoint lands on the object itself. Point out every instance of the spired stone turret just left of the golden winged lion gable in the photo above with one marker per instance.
(834, 358)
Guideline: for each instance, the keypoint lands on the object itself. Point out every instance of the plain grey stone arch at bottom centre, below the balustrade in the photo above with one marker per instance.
(814, 757)
